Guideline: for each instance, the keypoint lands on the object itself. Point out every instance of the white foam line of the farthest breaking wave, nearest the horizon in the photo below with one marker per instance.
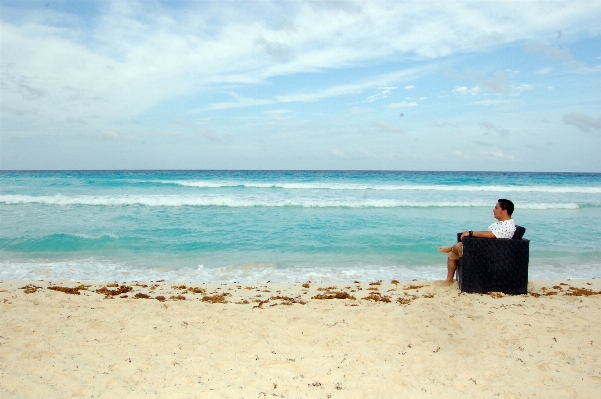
(388, 187)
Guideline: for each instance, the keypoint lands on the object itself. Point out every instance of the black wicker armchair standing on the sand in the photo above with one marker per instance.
(494, 265)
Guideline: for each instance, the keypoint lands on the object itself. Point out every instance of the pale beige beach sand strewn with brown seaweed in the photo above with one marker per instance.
(428, 341)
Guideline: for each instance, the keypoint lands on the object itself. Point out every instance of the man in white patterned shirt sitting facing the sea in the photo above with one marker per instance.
(504, 228)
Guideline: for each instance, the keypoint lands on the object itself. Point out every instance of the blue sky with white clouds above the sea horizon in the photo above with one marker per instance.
(405, 85)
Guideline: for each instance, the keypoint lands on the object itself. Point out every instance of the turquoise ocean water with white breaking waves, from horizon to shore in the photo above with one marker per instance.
(251, 226)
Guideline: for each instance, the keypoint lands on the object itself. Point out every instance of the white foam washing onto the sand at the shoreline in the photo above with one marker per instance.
(99, 270)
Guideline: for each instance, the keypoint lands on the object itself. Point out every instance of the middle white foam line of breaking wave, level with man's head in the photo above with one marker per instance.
(241, 202)
